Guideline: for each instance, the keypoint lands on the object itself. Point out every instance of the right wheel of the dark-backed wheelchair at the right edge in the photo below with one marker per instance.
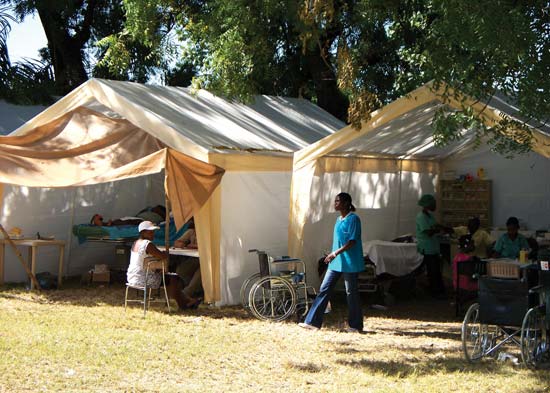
(533, 337)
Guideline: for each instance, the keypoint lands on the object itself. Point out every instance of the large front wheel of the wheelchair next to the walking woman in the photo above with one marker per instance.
(272, 298)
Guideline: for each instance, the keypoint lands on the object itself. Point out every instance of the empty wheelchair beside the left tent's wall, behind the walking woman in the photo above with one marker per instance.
(278, 290)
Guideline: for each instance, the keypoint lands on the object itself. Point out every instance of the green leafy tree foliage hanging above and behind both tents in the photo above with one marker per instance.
(353, 56)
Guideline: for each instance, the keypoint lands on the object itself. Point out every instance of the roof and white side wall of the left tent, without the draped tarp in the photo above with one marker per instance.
(253, 143)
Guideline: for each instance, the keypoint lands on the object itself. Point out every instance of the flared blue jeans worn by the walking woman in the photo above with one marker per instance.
(355, 315)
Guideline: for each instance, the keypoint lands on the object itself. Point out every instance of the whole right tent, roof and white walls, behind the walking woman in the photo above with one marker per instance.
(391, 161)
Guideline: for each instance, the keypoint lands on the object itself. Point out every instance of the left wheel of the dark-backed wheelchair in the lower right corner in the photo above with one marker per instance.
(474, 335)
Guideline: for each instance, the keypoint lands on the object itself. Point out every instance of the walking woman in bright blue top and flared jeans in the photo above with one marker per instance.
(345, 259)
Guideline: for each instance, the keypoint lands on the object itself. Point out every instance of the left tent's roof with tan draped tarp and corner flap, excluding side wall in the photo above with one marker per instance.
(109, 130)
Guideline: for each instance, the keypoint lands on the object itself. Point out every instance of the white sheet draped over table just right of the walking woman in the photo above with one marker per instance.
(397, 259)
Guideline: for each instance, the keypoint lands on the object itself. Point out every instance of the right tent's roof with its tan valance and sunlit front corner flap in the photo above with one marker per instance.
(397, 138)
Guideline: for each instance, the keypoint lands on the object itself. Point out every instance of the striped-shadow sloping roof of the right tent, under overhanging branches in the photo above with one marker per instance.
(403, 130)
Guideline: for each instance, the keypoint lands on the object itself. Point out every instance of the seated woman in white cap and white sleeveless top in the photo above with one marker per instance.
(143, 247)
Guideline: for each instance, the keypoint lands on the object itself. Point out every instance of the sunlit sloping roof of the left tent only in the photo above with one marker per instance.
(197, 122)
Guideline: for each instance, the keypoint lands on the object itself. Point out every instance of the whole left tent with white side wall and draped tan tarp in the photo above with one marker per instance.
(252, 143)
